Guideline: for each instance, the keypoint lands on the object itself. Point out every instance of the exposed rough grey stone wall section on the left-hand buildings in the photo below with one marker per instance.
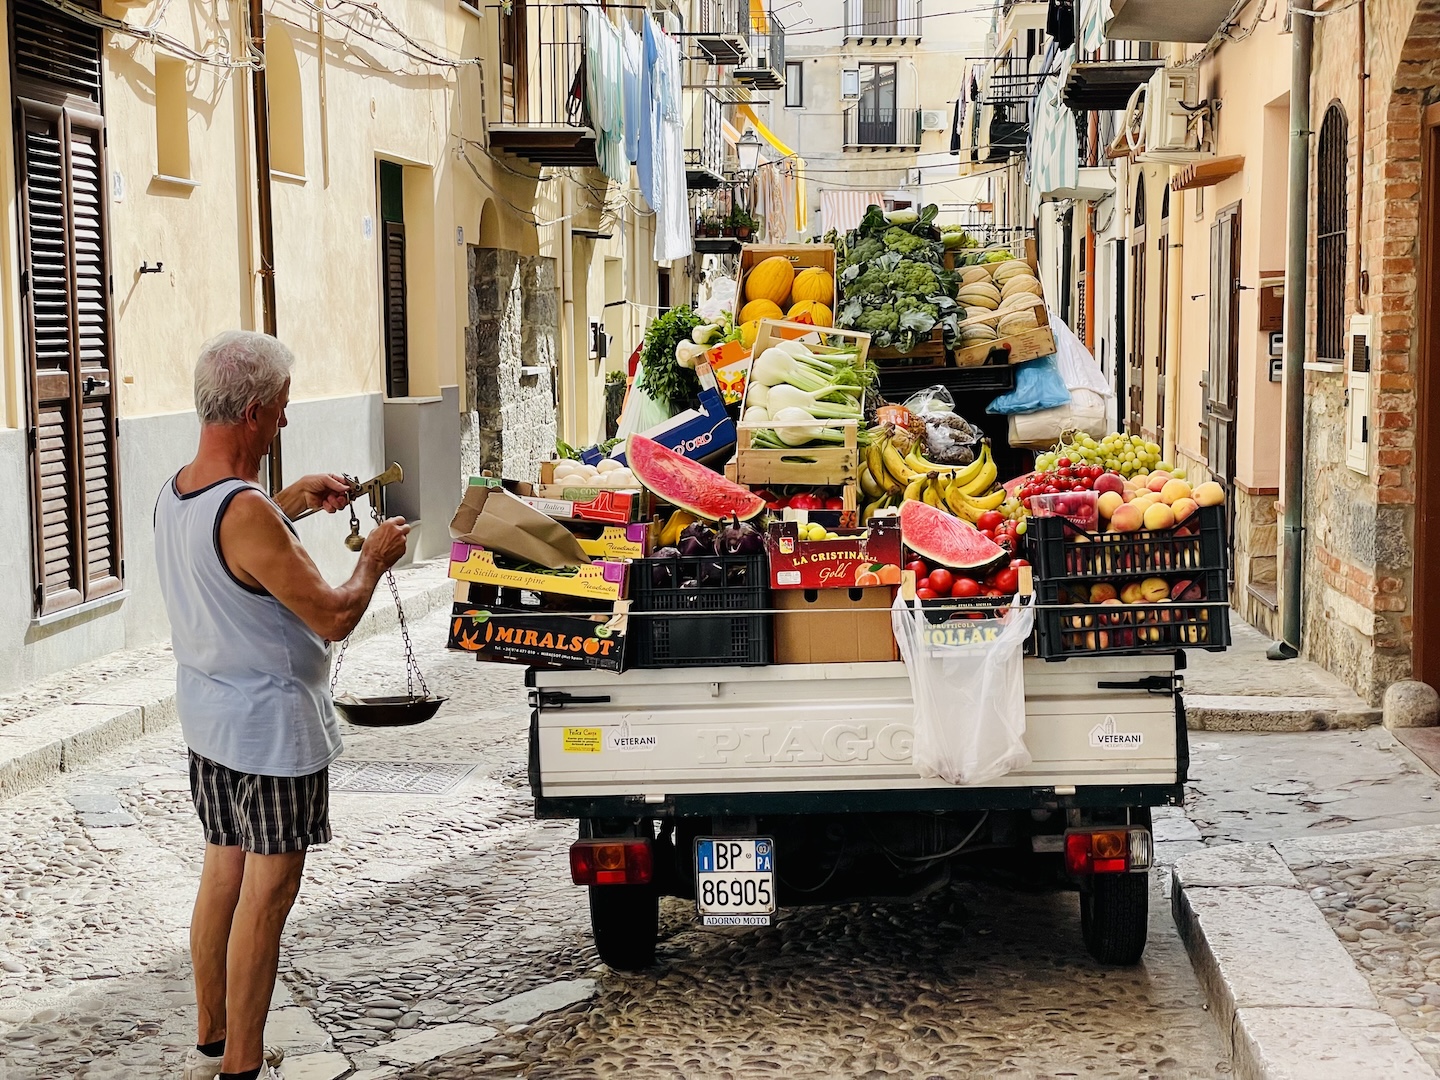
(512, 358)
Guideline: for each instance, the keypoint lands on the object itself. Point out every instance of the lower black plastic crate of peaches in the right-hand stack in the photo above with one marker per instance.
(1099, 630)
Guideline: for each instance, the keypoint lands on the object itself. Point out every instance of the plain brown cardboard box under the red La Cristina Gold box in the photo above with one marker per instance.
(834, 626)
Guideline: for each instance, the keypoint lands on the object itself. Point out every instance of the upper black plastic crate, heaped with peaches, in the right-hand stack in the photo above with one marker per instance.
(1062, 554)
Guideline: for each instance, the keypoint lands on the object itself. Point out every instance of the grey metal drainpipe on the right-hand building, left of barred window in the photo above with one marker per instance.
(1302, 32)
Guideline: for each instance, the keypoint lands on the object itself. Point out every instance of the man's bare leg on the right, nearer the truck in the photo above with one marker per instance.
(267, 895)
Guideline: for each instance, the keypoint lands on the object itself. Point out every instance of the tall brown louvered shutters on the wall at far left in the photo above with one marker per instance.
(67, 307)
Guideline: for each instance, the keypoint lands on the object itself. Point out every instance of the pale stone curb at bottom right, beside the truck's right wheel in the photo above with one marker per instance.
(1284, 990)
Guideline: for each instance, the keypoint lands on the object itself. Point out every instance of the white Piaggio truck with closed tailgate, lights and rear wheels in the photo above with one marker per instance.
(751, 788)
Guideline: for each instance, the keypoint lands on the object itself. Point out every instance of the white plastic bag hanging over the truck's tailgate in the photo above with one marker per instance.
(968, 683)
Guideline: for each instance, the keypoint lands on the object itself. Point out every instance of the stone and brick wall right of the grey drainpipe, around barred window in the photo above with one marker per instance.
(1360, 529)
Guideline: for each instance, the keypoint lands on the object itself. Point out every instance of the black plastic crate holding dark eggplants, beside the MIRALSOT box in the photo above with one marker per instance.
(699, 591)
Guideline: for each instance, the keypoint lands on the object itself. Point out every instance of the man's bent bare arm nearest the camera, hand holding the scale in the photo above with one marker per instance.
(263, 552)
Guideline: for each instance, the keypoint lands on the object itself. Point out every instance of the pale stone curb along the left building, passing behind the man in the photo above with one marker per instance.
(64, 738)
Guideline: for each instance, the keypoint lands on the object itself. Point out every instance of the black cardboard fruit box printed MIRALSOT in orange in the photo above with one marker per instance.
(512, 627)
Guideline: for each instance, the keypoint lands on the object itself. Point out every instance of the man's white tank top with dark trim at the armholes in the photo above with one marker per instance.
(254, 680)
